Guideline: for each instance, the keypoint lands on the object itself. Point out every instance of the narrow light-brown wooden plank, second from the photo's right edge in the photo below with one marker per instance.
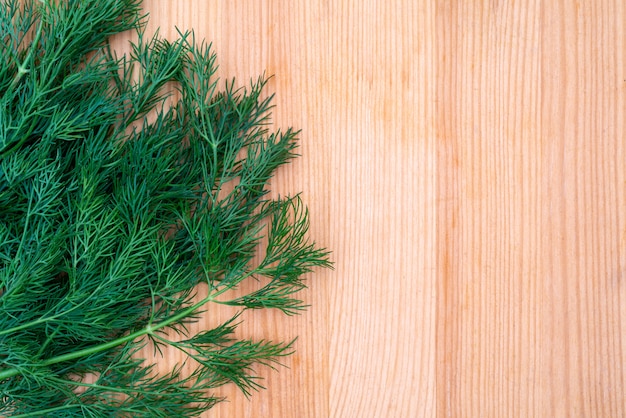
(489, 173)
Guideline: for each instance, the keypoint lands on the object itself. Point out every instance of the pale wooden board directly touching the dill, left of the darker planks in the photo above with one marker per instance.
(363, 99)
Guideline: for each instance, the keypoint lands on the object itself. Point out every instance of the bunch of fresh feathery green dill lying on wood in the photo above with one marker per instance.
(116, 200)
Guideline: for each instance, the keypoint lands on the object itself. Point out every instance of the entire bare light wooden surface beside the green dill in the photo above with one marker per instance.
(464, 160)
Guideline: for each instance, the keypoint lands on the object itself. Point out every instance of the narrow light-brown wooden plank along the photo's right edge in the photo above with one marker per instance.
(582, 110)
